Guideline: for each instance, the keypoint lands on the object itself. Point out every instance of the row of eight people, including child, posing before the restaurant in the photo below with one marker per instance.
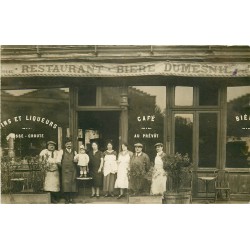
(108, 169)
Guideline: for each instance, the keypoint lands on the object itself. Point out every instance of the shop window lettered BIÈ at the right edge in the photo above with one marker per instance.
(238, 127)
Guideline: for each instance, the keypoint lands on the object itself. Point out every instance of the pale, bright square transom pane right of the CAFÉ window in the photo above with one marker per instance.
(183, 96)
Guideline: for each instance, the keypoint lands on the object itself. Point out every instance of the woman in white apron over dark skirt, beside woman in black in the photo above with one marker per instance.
(109, 170)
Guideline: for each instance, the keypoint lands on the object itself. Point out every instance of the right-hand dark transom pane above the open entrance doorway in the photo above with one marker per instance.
(110, 96)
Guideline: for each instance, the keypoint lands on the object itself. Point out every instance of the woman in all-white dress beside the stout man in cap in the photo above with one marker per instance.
(122, 172)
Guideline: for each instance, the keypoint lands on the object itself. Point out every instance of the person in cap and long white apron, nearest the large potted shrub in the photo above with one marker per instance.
(159, 178)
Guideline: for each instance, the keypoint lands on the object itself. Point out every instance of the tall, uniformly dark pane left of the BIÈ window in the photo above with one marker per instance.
(207, 140)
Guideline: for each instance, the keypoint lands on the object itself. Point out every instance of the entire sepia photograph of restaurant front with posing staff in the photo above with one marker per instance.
(125, 124)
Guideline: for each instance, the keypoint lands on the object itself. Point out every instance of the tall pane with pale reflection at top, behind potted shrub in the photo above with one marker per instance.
(184, 134)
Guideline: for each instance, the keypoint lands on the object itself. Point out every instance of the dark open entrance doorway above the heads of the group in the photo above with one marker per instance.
(100, 126)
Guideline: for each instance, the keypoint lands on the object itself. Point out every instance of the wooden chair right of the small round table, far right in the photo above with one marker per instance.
(222, 184)
